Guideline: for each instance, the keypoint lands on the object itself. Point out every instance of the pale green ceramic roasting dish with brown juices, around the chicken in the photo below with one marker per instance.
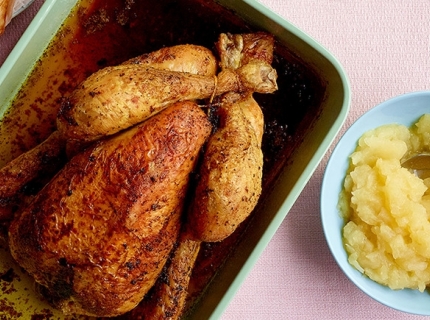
(302, 118)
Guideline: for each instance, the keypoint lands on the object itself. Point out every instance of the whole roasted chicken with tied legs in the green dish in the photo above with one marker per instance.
(98, 235)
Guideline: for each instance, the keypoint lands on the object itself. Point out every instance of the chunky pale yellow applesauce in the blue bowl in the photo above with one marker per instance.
(387, 208)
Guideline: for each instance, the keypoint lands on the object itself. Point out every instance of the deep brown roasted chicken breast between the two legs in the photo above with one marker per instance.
(97, 236)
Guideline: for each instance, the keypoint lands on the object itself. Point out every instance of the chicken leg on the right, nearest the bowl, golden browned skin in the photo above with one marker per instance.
(231, 172)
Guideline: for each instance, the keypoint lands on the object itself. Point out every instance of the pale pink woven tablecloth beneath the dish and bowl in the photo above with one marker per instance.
(384, 47)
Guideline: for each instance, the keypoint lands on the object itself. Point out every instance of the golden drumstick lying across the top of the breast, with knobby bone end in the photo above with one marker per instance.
(116, 98)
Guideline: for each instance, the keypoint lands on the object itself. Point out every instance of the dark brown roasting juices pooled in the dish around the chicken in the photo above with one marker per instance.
(106, 33)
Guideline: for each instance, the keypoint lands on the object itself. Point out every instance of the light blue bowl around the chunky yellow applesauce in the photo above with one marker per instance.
(405, 109)
